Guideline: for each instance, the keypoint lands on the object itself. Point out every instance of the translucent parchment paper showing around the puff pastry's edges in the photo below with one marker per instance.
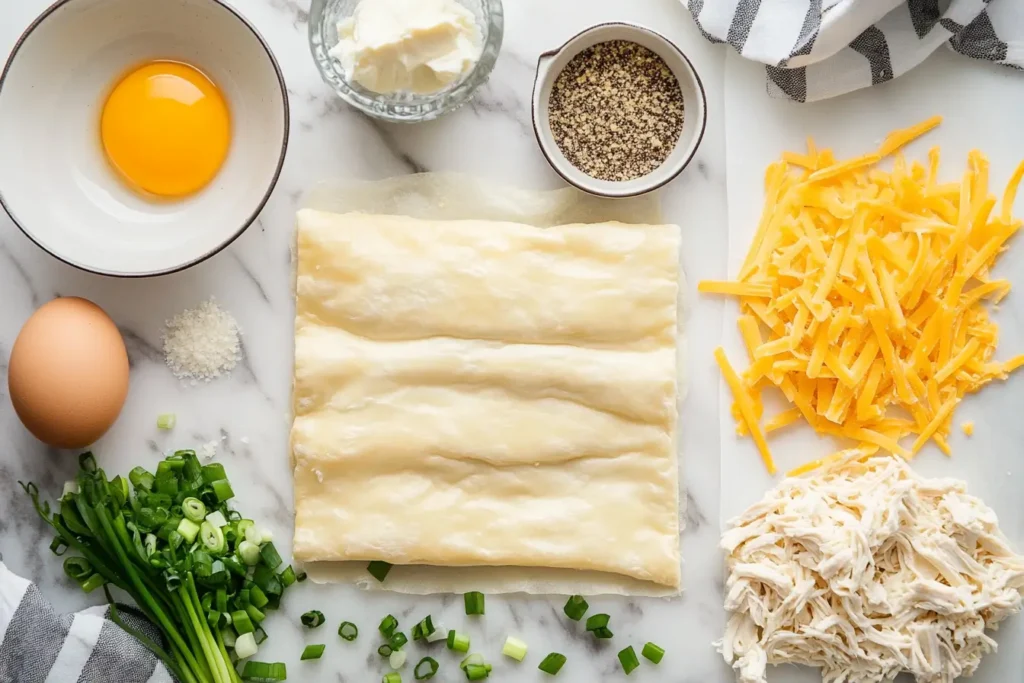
(457, 197)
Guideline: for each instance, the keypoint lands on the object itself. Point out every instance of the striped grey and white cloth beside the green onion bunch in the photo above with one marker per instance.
(37, 646)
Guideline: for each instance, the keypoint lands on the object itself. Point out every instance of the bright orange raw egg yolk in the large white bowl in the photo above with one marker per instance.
(166, 130)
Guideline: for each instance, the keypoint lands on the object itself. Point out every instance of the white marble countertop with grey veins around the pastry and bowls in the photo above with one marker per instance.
(246, 413)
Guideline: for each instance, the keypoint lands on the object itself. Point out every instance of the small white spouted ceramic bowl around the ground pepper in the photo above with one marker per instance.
(695, 103)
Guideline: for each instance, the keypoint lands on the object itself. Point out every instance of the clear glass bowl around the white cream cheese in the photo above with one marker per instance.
(402, 107)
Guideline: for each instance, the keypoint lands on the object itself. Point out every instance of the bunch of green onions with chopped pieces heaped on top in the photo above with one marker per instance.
(196, 569)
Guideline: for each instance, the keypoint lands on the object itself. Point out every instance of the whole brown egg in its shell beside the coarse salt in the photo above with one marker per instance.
(68, 375)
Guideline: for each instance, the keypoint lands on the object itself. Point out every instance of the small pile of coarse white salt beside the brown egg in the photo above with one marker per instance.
(202, 344)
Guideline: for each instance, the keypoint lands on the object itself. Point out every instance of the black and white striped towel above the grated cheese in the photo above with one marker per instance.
(821, 49)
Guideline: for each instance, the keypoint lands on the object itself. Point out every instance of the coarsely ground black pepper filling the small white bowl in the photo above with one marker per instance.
(617, 111)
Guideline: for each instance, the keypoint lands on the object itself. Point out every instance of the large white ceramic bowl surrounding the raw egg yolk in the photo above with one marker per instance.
(56, 183)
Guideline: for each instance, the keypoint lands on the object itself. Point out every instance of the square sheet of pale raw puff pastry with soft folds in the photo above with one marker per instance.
(478, 394)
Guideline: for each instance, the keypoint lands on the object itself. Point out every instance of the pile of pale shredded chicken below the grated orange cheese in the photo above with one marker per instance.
(866, 570)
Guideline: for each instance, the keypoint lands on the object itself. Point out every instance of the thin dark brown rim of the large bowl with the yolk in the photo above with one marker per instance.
(58, 5)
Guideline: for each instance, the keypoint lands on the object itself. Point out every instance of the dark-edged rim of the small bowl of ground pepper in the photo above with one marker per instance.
(581, 184)
